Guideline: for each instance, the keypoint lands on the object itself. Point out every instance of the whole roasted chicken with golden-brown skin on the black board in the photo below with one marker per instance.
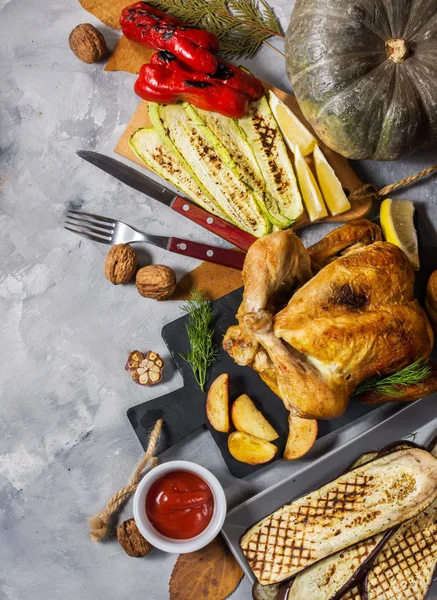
(315, 323)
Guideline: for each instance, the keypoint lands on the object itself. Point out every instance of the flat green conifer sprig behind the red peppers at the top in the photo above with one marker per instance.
(240, 25)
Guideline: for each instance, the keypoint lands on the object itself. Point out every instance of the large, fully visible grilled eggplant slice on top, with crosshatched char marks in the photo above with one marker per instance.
(357, 505)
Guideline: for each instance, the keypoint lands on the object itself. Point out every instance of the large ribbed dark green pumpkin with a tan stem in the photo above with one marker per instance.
(365, 73)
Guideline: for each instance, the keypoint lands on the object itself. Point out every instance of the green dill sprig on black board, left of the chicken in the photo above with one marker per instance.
(202, 351)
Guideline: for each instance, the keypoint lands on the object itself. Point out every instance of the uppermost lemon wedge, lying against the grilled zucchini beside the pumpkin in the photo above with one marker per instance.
(293, 131)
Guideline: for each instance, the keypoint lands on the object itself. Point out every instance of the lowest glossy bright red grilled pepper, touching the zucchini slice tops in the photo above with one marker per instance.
(158, 83)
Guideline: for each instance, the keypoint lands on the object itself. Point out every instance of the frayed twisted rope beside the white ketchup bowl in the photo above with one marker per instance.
(101, 523)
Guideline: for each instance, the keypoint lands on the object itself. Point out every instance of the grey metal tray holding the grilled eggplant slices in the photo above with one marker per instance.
(416, 421)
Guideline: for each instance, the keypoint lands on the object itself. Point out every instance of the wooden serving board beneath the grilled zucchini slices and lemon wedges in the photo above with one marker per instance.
(340, 164)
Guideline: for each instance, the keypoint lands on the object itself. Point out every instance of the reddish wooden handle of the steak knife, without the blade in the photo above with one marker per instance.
(220, 227)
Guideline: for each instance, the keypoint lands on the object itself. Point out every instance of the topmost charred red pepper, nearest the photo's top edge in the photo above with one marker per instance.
(153, 28)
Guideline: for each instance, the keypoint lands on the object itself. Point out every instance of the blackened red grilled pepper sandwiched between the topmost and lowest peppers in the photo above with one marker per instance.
(226, 74)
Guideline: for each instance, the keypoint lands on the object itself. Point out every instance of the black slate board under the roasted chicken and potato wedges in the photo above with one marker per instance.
(183, 410)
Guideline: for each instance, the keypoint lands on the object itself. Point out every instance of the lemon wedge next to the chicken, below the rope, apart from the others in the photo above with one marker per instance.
(397, 222)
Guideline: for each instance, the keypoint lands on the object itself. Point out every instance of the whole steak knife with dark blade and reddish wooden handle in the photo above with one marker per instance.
(140, 182)
